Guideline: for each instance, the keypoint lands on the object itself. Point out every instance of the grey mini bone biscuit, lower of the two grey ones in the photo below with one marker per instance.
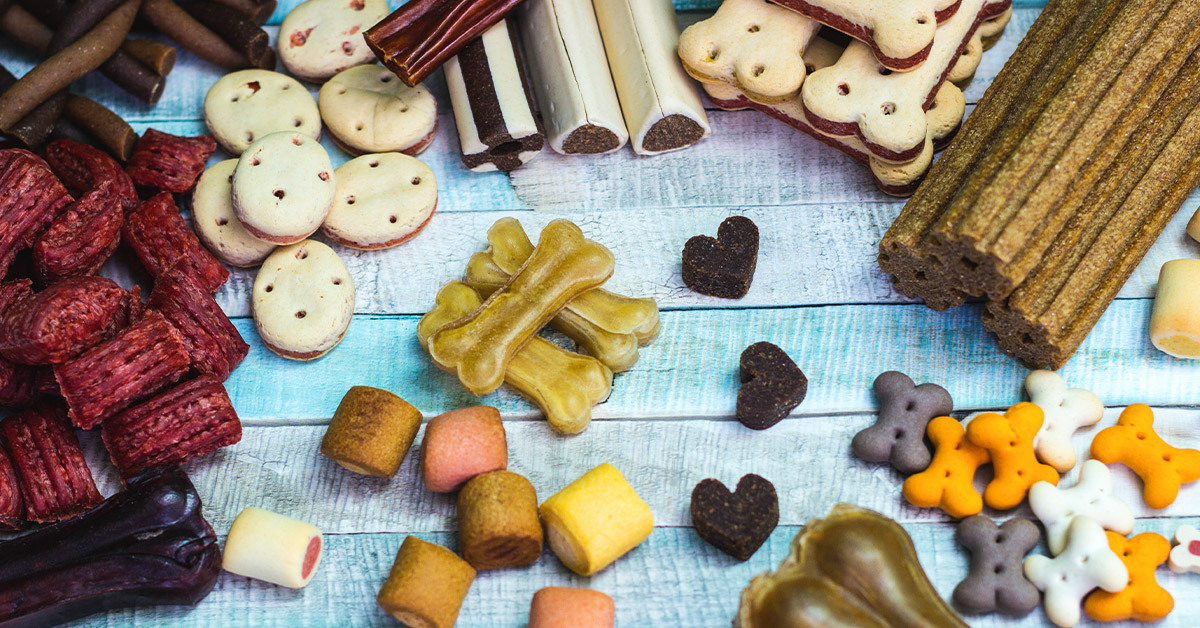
(997, 581)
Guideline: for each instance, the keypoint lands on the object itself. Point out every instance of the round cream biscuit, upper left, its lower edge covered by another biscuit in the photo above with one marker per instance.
(248, 105)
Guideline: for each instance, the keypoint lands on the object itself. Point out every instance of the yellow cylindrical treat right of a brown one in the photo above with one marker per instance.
(596, 521)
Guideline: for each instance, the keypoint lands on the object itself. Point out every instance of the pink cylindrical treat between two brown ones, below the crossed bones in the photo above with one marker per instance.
(460, 445)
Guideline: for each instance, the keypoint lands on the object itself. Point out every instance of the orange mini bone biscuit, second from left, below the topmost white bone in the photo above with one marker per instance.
(1009, 439)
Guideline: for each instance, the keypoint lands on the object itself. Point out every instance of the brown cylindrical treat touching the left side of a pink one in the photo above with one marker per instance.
(371, 432)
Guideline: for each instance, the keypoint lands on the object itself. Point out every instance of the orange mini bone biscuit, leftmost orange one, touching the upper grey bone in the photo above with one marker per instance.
(947, 483)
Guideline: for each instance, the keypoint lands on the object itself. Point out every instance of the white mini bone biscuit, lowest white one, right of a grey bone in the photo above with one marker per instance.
(1085, 565)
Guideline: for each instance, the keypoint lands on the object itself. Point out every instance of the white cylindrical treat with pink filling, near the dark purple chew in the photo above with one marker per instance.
(273, 548)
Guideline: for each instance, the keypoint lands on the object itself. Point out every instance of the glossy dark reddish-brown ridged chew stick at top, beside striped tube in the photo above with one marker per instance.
(424, 34)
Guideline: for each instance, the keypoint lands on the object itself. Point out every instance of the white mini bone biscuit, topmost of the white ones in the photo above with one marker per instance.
(1067, 410)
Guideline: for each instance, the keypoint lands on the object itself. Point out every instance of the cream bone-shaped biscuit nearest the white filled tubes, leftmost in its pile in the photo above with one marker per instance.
(754, 45)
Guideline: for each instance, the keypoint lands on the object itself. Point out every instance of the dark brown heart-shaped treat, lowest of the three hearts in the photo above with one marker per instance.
(736, 523)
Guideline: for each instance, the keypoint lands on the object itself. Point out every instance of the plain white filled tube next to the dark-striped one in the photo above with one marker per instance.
(571, 77)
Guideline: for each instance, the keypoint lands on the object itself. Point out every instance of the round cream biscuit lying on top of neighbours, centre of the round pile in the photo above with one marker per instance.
(284, 188)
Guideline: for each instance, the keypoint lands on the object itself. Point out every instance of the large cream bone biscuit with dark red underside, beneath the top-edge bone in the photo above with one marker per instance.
(886, 110)
